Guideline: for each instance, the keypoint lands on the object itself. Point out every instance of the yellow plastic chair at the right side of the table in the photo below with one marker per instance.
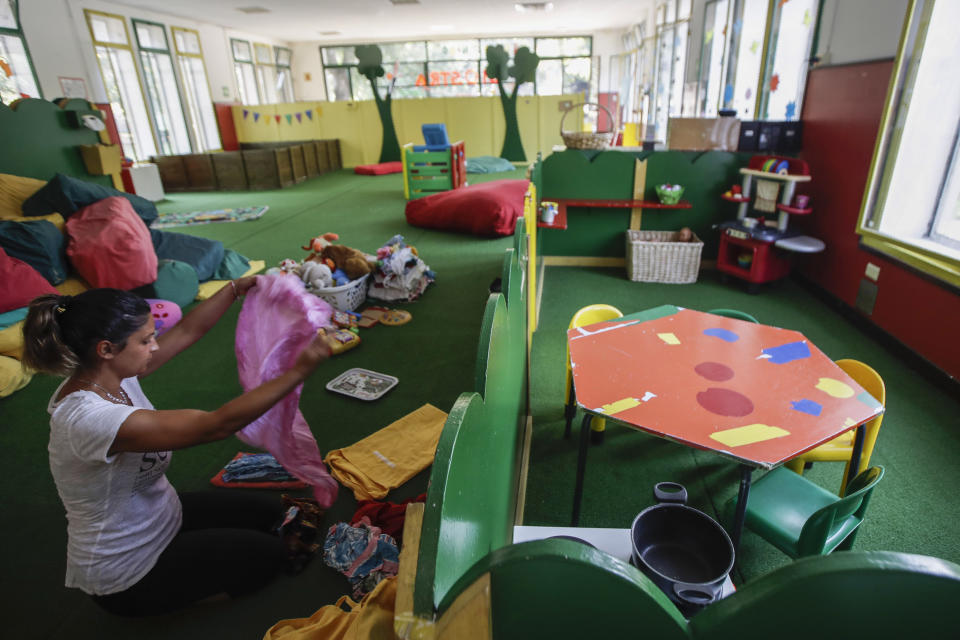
(841, 448)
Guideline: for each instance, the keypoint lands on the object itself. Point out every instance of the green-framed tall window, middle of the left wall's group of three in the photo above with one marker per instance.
(161, 84)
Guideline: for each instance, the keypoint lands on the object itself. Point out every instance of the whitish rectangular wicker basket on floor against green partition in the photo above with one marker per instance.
(657, 256)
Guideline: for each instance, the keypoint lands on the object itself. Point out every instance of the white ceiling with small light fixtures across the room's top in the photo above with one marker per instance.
(381, 20)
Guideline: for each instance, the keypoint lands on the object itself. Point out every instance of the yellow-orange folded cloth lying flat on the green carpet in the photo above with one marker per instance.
(386, 459)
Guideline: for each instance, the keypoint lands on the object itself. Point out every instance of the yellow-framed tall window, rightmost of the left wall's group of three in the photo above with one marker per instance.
(196, 89)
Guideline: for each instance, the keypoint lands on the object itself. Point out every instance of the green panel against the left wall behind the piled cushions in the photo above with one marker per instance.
(40, 138)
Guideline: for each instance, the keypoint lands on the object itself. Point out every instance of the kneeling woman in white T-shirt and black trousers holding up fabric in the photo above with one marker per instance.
(134, 544)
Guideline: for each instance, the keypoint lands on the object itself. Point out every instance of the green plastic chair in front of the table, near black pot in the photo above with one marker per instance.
(802, 519)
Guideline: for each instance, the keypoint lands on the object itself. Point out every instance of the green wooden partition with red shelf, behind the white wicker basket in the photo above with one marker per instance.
(609, 175)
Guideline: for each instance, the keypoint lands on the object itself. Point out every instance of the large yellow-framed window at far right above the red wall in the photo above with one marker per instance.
(911, 208)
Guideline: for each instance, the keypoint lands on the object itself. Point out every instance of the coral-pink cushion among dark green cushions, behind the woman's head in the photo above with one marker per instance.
(109, 245)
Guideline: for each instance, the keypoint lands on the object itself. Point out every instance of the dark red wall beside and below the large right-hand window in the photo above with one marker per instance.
(841, 115)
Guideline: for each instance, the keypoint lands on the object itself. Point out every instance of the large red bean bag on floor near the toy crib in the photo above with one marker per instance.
(485, 209)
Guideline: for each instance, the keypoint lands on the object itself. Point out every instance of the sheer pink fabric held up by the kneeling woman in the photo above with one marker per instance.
(278, 319)
